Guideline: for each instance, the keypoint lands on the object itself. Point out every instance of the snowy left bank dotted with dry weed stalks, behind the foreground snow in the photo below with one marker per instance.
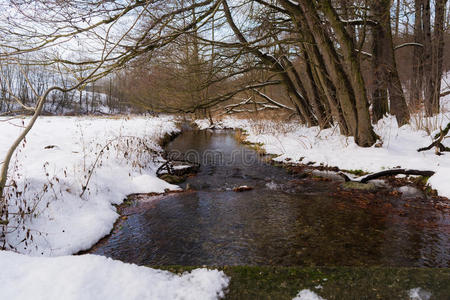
(56, 161)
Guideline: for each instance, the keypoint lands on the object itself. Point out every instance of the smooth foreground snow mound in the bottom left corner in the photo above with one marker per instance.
(97, 277)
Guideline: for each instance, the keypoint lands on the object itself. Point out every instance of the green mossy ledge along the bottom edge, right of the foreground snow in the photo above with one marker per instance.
(264, 282)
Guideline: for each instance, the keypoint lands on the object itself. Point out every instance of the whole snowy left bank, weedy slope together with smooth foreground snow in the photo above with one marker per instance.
(70, 178)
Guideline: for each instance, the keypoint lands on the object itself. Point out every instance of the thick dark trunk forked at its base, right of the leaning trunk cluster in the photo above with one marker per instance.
(385, 68)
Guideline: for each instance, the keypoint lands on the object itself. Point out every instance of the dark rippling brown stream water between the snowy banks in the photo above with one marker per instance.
(284, 220)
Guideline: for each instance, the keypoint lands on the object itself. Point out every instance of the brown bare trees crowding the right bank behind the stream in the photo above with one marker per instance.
(330, 62)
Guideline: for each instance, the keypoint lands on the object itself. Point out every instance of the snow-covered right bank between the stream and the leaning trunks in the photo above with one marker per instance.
(296, 143)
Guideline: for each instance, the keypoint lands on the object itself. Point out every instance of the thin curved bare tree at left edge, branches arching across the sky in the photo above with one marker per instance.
(112, 41)
